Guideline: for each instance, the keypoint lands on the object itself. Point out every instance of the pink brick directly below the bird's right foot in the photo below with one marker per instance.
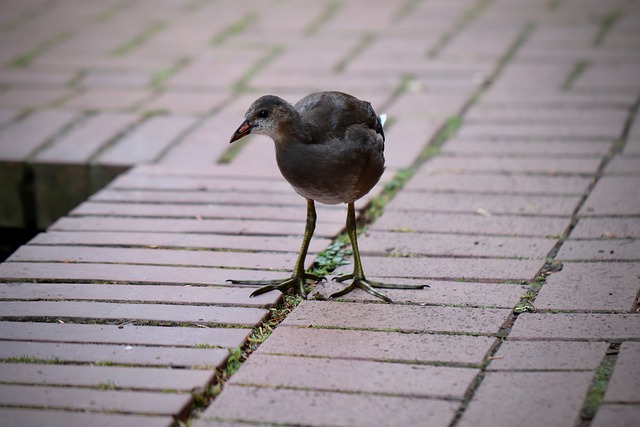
(405, 318)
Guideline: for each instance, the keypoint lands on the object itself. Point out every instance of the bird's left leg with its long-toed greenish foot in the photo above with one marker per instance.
(300, 276)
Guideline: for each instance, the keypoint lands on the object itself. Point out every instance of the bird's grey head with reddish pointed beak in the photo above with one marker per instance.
(265, 116)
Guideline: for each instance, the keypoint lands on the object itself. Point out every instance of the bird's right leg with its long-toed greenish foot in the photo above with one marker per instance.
(359, 280)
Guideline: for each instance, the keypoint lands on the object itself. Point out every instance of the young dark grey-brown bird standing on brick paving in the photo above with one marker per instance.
(330, 148)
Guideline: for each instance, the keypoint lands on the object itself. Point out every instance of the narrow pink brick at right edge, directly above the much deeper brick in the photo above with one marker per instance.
(595, 250)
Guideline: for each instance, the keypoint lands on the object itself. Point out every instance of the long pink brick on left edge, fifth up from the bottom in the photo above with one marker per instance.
(124, 334)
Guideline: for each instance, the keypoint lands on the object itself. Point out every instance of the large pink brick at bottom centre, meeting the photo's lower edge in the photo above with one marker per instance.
(346, 409)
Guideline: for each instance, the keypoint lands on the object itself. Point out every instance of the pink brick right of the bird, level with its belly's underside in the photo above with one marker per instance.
(497, 204)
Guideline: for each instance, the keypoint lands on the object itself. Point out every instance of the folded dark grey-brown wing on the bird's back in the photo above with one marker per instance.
(332, 113)
